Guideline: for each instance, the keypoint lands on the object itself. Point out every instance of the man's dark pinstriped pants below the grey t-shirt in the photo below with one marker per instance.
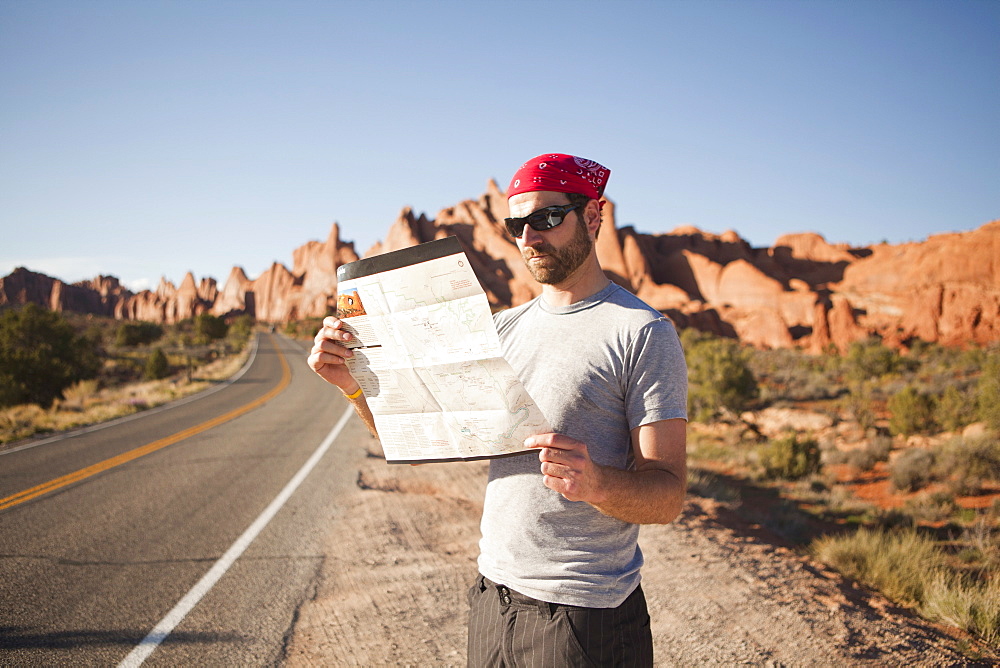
(513, 630)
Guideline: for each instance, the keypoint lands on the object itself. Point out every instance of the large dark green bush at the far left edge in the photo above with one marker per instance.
(40, 354)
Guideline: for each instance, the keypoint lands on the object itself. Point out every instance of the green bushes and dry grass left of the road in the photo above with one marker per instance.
(62, 371)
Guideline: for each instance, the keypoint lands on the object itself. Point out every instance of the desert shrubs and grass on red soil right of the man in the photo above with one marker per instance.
(884, 465)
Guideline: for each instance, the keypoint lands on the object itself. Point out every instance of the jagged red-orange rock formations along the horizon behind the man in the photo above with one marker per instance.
(801, 292)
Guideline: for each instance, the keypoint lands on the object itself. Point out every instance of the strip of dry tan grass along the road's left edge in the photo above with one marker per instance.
(85, 404)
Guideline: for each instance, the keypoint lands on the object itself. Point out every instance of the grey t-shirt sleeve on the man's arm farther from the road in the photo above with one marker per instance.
(656, 379)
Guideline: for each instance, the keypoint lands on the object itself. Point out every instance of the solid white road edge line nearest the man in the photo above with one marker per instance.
(197, 592)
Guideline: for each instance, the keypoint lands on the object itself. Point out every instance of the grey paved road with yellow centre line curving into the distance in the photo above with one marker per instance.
(89, 568)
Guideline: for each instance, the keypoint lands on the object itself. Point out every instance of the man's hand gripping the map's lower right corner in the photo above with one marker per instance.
(567, 467)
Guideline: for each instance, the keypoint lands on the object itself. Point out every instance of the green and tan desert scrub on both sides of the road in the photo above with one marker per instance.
(881, 464)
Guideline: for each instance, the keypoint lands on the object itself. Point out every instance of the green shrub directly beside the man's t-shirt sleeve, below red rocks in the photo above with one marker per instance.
(719, 376)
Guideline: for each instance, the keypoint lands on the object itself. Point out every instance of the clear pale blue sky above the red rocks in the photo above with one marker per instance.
(142, 139)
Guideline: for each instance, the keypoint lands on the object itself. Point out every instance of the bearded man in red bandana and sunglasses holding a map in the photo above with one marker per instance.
(559, 560)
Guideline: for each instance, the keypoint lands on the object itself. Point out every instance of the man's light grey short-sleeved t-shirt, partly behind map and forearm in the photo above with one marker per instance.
(597, 369)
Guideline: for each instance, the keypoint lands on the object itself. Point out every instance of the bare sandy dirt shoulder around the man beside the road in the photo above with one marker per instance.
(399, 562)
